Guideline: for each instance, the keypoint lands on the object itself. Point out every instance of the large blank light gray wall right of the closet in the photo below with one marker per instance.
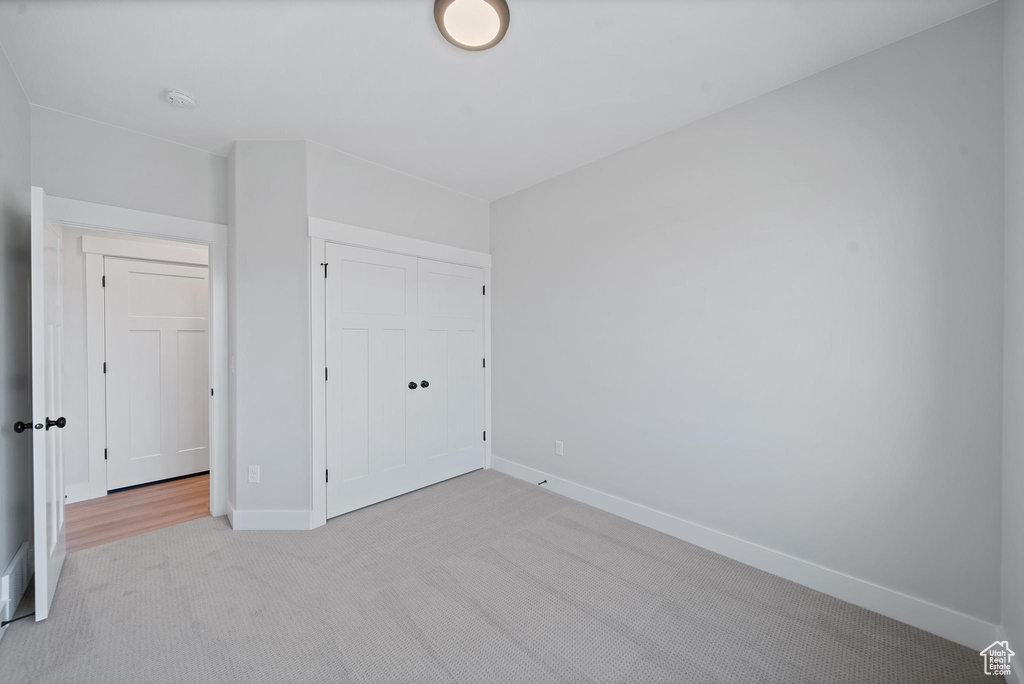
(784, 322)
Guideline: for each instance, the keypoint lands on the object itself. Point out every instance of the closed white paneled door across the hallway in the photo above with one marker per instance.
(158, 389)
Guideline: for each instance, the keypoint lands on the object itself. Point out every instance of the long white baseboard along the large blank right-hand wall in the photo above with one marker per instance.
(947, 623)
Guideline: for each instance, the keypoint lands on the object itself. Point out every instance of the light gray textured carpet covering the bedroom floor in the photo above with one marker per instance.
(482, 579)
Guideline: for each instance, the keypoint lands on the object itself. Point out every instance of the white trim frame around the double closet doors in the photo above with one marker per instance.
(321, 232)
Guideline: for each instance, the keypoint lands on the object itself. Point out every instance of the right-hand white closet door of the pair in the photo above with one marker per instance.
(450, 416)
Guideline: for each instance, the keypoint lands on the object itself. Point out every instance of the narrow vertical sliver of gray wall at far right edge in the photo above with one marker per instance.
(1013, 418)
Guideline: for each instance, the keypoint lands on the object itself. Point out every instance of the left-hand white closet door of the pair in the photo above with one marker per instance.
(371, 327)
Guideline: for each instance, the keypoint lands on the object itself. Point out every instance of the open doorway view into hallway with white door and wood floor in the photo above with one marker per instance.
(137, 361)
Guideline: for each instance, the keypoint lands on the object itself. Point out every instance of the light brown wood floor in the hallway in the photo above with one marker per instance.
(136, 511)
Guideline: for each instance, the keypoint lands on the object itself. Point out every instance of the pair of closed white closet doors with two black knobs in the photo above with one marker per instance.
(404, 375)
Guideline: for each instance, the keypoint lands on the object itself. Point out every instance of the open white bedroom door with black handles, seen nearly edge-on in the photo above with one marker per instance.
(48, 457)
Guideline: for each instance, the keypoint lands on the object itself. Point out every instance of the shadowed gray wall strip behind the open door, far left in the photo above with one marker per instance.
(16, 380)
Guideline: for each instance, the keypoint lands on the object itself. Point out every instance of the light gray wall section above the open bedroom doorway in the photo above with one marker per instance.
(86, 160)
